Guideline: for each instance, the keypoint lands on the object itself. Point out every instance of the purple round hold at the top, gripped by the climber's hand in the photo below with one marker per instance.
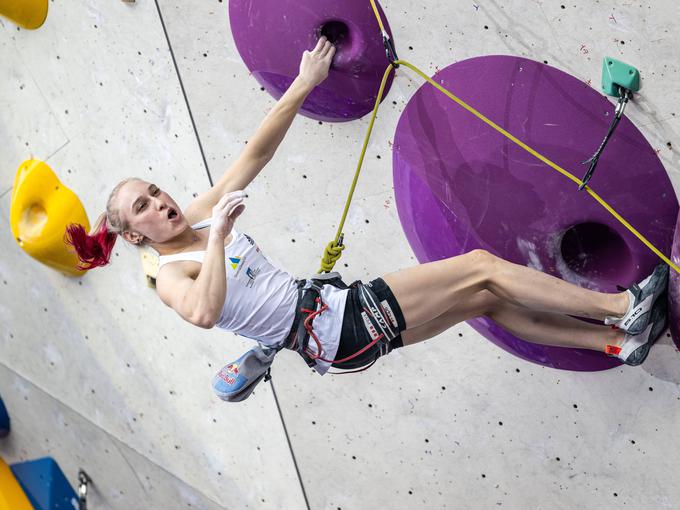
(272, 34)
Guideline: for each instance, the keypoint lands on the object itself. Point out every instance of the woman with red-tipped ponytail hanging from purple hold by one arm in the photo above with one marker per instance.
(211, 274)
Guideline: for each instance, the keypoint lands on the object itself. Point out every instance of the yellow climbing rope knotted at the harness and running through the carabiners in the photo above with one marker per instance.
(334, 249)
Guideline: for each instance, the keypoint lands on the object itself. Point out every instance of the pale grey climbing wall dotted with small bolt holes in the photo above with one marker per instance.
(98, 373)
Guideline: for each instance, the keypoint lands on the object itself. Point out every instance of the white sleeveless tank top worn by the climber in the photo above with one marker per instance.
(261, 299)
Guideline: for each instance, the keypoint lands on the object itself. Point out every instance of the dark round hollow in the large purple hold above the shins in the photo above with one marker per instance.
(596, 252)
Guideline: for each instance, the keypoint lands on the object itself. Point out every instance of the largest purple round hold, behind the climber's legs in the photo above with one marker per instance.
(461, 185)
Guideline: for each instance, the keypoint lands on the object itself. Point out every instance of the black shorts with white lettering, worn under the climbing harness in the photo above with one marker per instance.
(358, 332)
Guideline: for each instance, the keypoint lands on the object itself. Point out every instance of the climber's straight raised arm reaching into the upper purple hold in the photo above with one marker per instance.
(262, 146)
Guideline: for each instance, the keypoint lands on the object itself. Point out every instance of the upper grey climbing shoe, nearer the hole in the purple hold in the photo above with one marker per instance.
(642, 296)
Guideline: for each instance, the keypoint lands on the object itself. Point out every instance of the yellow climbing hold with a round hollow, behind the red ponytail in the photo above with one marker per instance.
(41, 209)
